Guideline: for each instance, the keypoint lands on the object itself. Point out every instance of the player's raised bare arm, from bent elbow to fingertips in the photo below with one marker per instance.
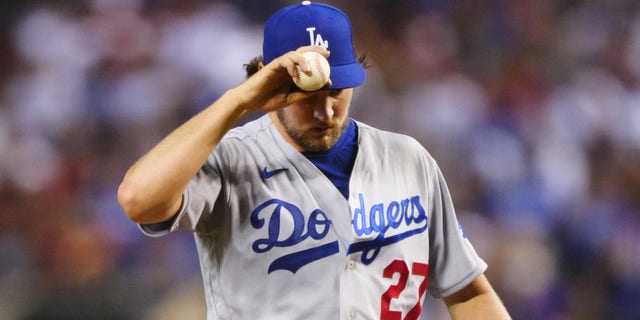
(152, 188)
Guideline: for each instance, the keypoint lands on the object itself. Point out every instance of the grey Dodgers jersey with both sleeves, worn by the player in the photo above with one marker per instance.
(277, 240)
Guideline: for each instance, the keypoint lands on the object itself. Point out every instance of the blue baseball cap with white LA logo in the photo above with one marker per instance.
(318, 24)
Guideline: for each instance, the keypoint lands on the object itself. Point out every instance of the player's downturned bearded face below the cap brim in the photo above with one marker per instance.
(316, 123)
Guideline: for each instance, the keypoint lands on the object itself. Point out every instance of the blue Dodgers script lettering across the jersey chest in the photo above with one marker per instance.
(287, 226)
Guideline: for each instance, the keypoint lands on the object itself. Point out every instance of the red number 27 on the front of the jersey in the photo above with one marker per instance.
(393, 292)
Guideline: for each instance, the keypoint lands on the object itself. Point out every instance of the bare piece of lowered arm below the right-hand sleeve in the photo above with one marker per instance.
(477, 300)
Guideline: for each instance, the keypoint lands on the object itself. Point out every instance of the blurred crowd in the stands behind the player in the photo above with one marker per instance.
(531, 108)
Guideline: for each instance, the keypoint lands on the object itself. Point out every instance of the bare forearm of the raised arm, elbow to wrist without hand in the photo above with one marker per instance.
(152, 188)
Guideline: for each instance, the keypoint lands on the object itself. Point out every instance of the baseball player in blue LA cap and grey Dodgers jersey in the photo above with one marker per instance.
(306, 213)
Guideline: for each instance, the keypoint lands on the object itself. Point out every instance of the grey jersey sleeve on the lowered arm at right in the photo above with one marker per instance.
(453, 262)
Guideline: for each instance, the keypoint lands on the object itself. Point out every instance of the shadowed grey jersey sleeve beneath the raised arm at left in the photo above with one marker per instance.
(198, 203)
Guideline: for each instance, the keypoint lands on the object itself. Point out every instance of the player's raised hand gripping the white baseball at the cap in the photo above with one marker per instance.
(272, 87)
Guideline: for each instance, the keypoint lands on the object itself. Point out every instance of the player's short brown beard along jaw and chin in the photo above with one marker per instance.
(314, 137)
